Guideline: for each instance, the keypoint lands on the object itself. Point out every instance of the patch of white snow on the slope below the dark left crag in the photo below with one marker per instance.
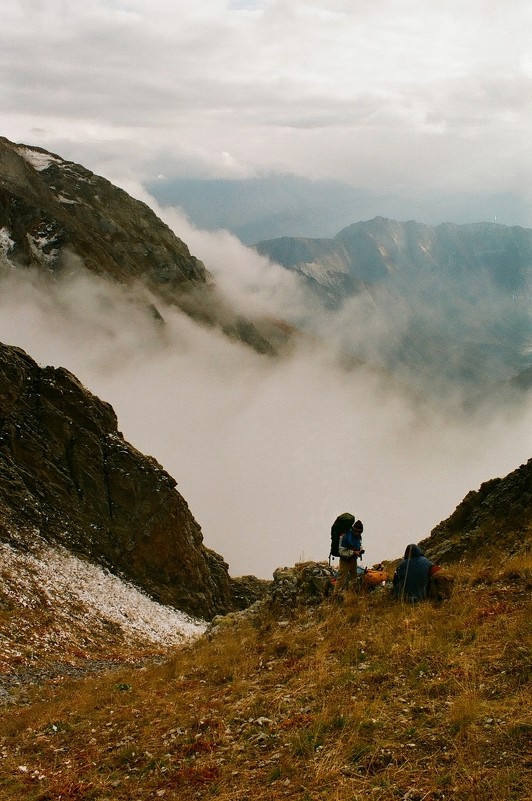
(63, 578)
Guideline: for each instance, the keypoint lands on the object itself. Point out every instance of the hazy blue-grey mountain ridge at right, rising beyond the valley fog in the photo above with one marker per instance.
(458, 296)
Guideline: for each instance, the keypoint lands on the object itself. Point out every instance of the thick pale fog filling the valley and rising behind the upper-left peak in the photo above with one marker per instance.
(266, 452)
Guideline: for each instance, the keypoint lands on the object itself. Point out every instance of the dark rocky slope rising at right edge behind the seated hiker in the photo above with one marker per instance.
(495, 520)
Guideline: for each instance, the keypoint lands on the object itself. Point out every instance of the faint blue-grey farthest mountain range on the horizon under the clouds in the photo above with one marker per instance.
(276, 205)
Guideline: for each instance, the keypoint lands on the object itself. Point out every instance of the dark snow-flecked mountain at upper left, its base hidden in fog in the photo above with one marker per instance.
(58, 217)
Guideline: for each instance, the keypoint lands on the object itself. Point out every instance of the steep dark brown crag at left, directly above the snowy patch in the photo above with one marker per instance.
(68, 476)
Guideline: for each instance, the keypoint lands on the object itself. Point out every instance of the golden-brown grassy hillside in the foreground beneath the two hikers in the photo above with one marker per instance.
(365, 700)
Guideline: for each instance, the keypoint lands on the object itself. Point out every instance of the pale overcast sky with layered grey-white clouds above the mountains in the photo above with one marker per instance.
(404, 96)
